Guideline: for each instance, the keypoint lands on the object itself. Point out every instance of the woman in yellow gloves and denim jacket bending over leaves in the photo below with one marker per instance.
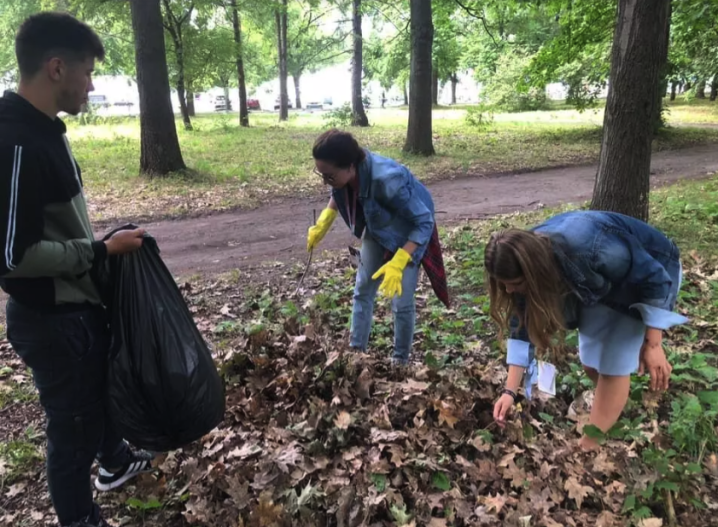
(385, 205)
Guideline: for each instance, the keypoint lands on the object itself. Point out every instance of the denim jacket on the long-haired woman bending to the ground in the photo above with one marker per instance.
(611, 259)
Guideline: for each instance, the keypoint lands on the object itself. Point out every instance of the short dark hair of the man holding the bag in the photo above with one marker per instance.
(47, 35)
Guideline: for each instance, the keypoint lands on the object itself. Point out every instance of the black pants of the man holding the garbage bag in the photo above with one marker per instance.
(68, 355)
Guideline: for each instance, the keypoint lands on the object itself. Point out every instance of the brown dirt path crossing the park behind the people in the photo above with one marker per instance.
(239, 239)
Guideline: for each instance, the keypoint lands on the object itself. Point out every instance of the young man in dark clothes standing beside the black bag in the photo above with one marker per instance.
(55, 320)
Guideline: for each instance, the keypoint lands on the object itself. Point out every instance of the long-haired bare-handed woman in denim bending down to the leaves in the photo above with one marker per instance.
(613, 277)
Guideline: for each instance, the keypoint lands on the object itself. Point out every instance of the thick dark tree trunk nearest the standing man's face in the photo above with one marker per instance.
(159, 146)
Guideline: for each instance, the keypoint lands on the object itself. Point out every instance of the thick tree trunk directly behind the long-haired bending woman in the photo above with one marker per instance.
(623, 178)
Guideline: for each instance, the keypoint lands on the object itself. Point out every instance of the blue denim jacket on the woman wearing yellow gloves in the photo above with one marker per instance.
(397, 207)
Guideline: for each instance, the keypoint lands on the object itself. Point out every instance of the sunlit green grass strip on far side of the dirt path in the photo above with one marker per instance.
(244, 167)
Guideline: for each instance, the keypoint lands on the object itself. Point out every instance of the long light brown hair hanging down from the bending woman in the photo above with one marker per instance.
(516, 254)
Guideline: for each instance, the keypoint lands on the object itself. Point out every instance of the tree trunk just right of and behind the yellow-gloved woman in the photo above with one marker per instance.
(419, 134)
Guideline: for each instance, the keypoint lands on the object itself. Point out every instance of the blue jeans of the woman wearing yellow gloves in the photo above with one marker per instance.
(372, 258)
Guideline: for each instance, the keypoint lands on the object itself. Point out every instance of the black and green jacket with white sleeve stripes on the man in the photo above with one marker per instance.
(49, 248)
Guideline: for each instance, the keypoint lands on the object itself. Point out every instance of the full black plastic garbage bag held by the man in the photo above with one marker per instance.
(164, 389)
